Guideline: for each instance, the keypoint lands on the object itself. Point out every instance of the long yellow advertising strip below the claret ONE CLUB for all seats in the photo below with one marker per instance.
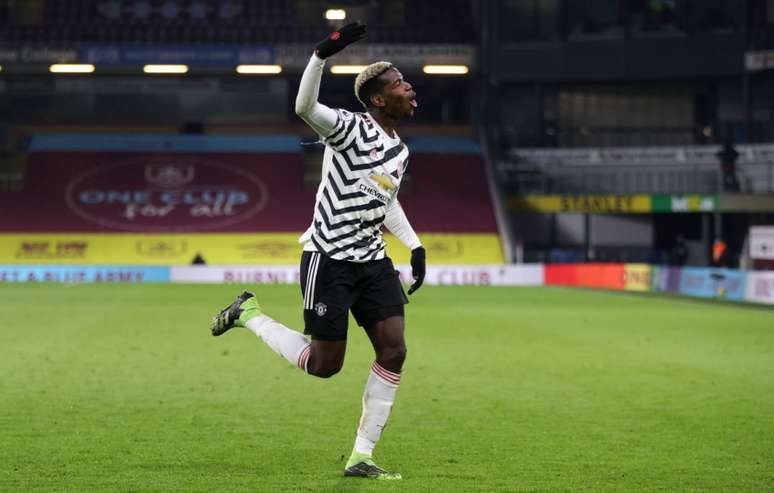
(221, 249)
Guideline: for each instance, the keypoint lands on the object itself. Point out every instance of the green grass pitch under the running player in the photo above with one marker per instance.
(122, 388)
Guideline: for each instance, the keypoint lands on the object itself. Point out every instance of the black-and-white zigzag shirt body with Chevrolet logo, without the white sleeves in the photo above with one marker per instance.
(362, 171)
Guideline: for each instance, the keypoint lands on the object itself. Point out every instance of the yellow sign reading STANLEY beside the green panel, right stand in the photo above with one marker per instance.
(593, 204)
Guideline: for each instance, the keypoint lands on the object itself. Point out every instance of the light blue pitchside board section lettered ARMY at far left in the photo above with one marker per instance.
(83, 274)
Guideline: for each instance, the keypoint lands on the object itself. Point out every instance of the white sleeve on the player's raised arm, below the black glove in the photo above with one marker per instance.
(323, 120)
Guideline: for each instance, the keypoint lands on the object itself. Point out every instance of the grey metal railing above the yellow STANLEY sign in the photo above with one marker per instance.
(655, 170)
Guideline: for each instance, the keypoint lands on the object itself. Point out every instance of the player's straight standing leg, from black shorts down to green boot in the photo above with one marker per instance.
(380, 311)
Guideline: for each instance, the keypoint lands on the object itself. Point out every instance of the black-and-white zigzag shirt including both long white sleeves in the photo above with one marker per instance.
(363, 167)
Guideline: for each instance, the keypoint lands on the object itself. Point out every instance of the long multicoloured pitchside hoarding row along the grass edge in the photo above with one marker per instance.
(707, 283)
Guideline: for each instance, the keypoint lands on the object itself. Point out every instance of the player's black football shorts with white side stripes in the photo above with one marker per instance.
(331, 288)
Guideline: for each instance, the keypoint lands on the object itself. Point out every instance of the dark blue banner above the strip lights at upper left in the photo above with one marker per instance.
(231, 55)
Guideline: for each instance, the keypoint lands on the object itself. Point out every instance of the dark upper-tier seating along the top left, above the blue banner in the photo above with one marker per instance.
(232, 21)
